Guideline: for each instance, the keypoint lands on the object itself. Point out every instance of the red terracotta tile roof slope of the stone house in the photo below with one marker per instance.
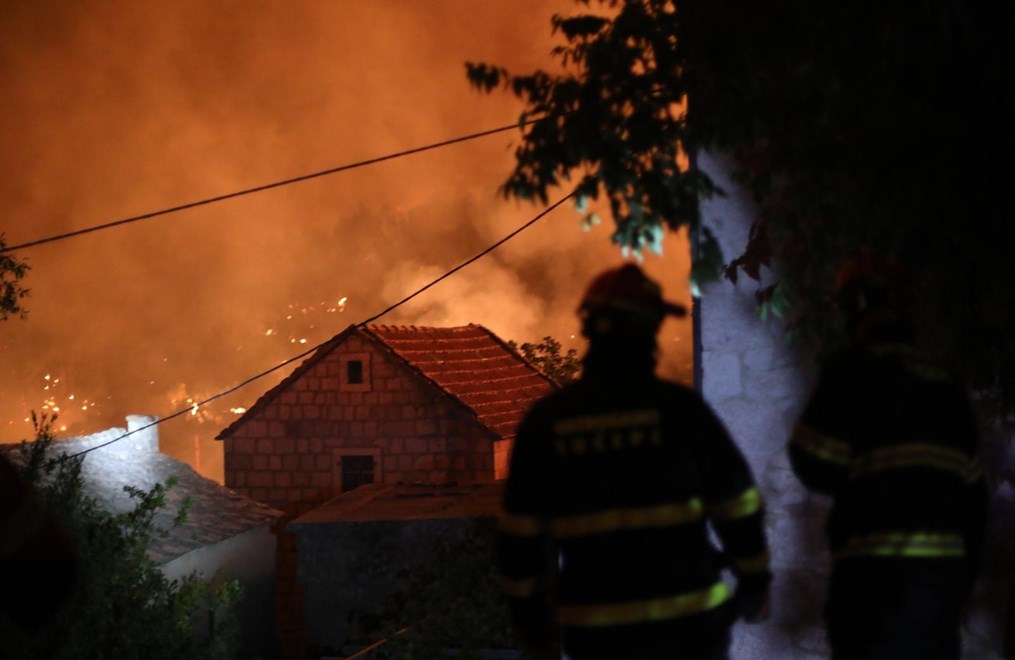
(472, 365)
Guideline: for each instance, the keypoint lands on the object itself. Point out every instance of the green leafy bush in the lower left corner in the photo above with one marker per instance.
(122, 605)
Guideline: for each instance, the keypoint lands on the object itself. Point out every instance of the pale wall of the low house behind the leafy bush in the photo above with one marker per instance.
(250, 559)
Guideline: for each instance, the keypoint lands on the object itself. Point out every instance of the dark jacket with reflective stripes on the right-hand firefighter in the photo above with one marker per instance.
(893, 437)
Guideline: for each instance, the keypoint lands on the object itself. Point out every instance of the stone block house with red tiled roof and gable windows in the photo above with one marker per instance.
(384, 405)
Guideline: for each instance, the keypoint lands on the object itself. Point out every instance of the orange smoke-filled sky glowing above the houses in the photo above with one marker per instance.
(114, 109)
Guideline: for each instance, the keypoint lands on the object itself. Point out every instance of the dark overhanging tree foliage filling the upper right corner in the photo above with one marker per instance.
(861, 124)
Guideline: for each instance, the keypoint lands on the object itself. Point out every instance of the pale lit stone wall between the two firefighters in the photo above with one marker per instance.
(758, 383)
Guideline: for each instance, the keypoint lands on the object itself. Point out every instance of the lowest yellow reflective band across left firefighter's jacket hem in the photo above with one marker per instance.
(638, 612)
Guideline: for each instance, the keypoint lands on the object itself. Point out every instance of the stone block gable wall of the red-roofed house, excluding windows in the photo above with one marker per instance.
(286, 455)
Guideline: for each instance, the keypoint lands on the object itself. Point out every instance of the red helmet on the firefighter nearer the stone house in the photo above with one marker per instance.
(628, 289)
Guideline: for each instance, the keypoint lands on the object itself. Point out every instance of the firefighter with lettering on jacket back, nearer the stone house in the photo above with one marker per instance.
(615, 481)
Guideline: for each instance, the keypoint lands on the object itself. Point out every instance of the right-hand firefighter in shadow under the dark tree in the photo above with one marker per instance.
(892, 436)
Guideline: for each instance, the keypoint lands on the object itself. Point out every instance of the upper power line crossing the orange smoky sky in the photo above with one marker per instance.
(258, 189)
